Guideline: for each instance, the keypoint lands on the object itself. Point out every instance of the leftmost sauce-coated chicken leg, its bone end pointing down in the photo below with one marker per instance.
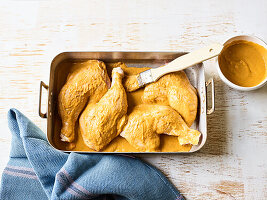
(89, 82)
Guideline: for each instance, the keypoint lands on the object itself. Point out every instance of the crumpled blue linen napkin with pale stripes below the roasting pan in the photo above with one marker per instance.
(38, 171)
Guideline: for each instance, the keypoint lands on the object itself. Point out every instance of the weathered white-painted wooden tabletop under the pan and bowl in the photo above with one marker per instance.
(232, 164)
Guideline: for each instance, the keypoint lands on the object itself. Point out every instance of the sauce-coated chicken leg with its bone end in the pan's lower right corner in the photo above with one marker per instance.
(146, 122)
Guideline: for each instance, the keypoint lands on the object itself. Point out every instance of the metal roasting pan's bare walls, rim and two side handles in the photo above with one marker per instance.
(58, 75)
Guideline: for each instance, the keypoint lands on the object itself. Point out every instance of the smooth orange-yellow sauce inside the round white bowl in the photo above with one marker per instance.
(244, 63)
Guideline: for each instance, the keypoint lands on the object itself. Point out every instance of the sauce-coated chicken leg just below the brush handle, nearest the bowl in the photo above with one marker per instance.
(175, 90)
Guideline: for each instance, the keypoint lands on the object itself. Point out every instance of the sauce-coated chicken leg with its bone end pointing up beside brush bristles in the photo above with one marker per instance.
(102, 122)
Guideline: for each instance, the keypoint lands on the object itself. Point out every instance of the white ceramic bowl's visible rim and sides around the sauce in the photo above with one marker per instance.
(229, 83)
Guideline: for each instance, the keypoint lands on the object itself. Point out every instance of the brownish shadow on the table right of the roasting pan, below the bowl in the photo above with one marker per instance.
(219, 133)
